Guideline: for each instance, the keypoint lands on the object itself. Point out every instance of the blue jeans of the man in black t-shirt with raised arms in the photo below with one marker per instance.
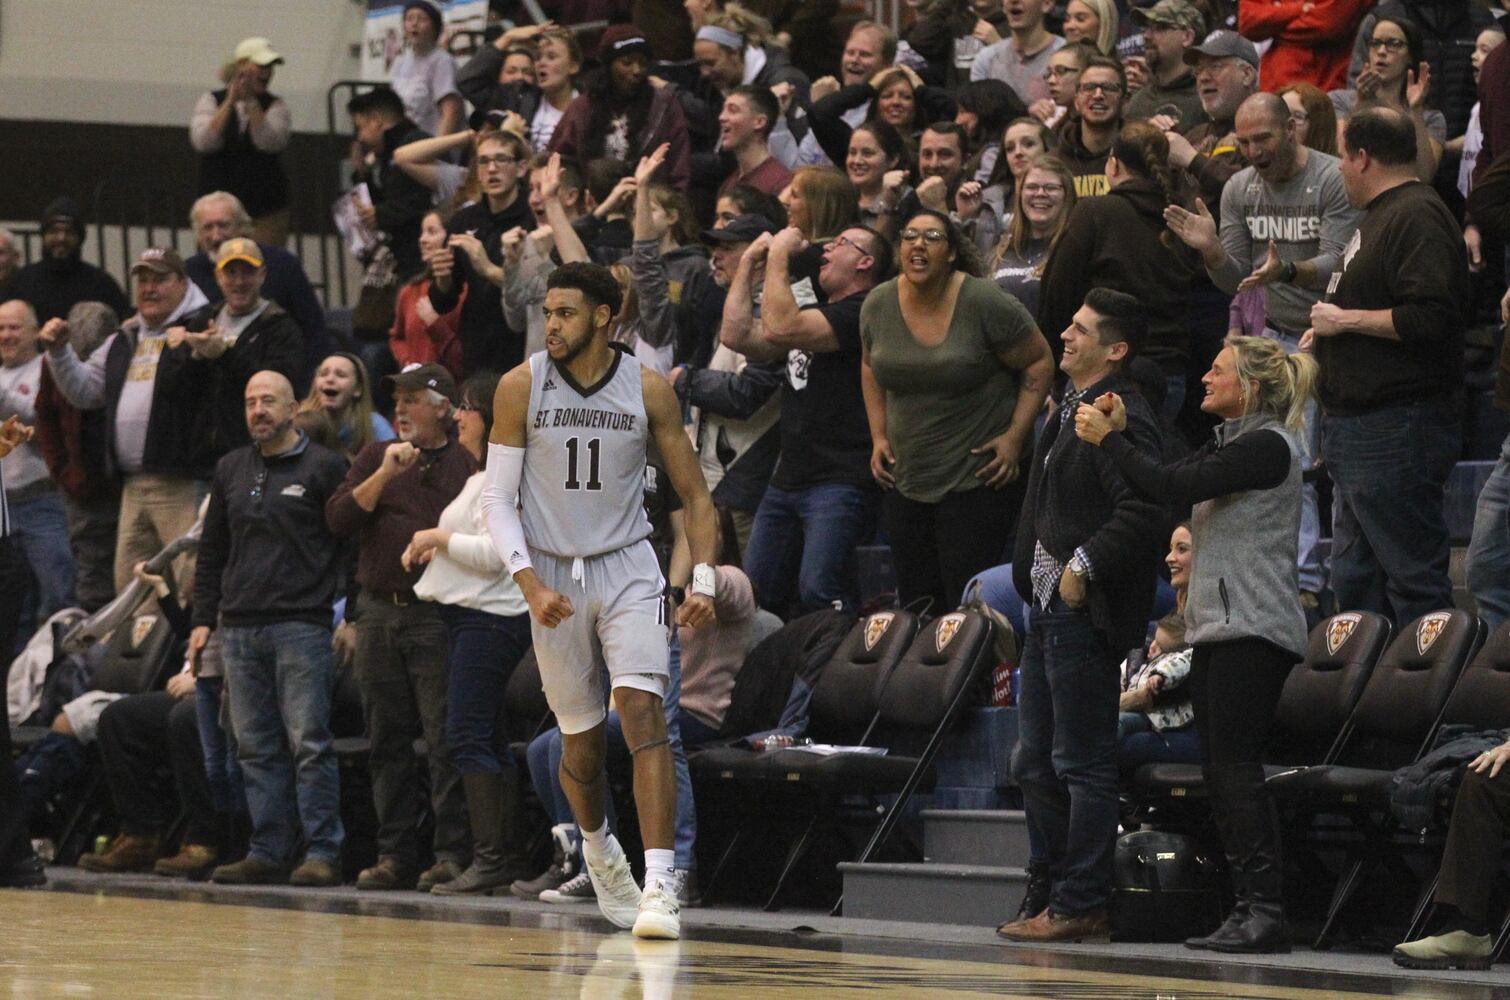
(809, 537)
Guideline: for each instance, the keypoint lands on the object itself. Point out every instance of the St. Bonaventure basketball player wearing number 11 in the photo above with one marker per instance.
(564, 507)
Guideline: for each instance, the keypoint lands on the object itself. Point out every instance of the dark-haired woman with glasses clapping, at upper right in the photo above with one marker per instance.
(1398, 76)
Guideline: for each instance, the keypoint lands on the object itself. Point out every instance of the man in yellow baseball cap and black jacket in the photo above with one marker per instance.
(245, 335)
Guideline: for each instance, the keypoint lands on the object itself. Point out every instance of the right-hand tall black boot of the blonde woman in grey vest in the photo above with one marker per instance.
(1254, 851)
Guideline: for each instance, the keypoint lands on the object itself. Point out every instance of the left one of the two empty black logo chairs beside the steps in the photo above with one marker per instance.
(843, 711)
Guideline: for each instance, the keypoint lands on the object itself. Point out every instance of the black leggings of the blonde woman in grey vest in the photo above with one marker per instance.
(1236, 688)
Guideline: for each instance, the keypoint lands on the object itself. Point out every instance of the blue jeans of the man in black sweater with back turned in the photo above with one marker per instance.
(1390, 545)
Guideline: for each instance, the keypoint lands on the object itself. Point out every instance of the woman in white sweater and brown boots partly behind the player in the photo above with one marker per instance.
(488, 622)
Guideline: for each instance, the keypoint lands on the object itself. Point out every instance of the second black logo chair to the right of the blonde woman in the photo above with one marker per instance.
(1346, 804)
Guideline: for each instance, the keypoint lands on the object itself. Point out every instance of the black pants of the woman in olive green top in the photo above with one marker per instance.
(938, 548)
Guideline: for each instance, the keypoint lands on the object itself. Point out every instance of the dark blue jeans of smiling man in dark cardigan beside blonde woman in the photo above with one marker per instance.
(1067, 758)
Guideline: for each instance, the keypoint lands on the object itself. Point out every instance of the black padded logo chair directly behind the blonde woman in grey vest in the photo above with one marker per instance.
(1311, 721)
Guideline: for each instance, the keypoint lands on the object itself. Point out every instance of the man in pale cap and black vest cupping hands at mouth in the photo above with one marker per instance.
(241, 134)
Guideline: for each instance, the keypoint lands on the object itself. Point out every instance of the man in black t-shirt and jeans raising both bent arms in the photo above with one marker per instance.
(822, 499)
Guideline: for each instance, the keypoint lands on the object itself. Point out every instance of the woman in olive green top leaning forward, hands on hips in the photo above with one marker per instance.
(955, 372)
